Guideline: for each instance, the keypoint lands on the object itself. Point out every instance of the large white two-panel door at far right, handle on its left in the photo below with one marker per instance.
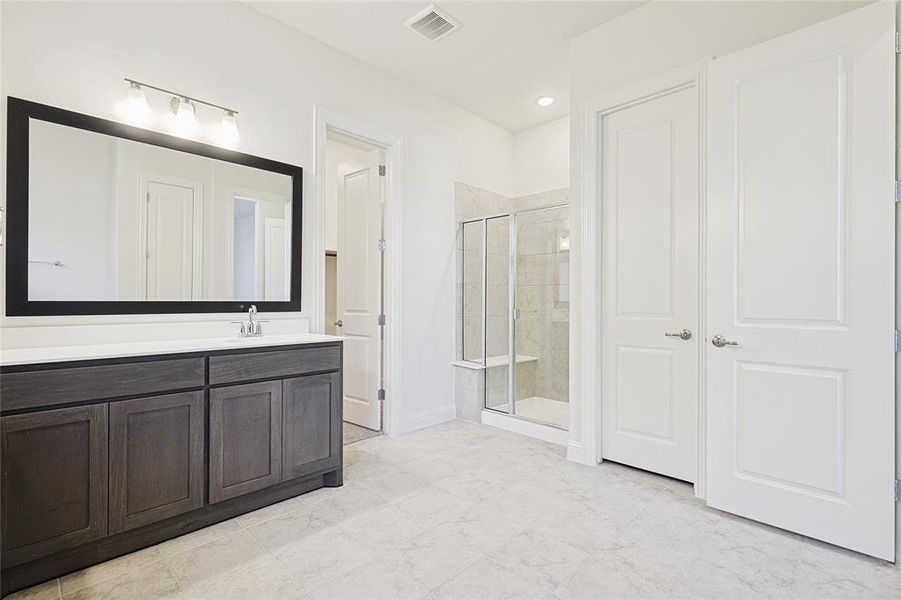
(801, 277)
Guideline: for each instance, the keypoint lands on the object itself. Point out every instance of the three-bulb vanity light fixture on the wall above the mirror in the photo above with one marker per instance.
(184, 110)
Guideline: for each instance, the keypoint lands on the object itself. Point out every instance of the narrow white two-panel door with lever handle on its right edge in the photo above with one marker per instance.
(650, 190)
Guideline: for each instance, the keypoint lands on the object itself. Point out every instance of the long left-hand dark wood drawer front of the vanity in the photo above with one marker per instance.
(48, 387)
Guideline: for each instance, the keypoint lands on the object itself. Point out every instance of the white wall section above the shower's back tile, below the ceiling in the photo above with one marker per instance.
(541, 158)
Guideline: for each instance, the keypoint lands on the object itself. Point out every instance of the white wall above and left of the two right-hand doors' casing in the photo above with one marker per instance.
(645, 42)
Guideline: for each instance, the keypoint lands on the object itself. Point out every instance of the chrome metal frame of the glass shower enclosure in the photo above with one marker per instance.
(512, 311)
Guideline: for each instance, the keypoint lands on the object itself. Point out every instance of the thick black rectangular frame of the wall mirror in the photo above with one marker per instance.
(19, 112)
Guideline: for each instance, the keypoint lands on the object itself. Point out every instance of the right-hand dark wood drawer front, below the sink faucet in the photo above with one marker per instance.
(270, 365)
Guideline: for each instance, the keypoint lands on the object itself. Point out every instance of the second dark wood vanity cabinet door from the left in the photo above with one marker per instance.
(156, 459)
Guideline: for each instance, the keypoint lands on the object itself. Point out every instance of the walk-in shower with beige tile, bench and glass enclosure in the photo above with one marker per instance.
(513, 252)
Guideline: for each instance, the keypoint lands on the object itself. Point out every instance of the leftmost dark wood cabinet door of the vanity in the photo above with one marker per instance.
(54, 481)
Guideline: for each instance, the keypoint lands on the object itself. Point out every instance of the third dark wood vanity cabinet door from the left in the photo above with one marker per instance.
(245, 438)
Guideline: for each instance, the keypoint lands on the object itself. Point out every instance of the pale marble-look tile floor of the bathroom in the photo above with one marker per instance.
(466, 511)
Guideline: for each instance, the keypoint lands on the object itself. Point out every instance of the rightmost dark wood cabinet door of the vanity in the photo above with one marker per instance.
(311, 434)
